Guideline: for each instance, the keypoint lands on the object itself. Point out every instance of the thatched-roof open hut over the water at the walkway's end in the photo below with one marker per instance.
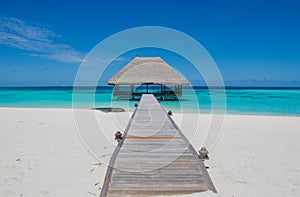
(148, 71)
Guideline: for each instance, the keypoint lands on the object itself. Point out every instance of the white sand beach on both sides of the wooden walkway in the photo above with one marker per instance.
(41, 154)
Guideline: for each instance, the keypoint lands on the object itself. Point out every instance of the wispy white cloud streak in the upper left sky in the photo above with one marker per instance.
(38, 40)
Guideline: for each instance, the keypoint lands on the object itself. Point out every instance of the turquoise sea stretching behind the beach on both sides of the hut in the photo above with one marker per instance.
(262, 101)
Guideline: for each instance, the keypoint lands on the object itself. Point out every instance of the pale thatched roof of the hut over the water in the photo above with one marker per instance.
(143, 70)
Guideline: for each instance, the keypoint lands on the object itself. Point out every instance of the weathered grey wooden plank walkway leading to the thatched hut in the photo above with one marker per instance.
(154, 157)
